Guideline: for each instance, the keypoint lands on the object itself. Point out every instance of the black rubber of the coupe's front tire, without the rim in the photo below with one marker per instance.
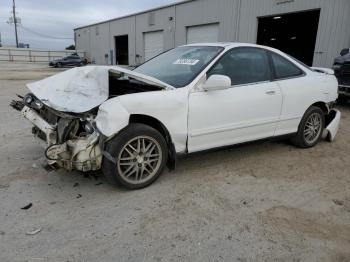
(115, 145)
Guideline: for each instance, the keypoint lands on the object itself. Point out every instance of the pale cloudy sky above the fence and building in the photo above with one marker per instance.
(58, 18)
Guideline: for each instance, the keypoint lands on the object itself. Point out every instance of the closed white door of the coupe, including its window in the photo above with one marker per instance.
(248, 110)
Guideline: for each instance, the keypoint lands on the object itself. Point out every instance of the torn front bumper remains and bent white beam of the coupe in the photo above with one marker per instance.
(82, 153)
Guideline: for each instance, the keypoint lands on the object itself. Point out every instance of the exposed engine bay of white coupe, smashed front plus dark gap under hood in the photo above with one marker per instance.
(72, 139)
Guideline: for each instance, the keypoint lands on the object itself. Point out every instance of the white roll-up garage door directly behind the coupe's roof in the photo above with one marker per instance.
(203, 33)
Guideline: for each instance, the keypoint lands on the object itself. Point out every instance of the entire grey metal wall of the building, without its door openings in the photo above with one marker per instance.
(238, 21)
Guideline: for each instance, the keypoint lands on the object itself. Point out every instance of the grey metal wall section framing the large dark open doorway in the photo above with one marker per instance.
(332, 33)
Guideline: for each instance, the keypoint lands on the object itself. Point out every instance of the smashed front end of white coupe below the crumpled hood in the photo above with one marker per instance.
(72, 141)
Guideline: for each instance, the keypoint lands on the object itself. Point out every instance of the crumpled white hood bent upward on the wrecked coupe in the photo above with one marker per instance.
(81, 89)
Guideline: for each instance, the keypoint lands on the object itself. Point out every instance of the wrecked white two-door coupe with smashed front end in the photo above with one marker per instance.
(132, 123)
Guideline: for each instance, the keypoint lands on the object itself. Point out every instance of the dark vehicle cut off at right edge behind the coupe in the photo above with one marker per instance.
(342, 72)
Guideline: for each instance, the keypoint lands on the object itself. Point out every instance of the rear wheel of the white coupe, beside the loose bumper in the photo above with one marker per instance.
(310, 128)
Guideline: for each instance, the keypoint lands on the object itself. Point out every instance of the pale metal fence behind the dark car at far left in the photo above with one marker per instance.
(34, 55)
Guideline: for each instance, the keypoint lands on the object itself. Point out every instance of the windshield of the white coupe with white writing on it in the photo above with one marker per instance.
(179, 66)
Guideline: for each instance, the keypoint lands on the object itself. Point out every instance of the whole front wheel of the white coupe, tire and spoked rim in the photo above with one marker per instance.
(140, 153)
